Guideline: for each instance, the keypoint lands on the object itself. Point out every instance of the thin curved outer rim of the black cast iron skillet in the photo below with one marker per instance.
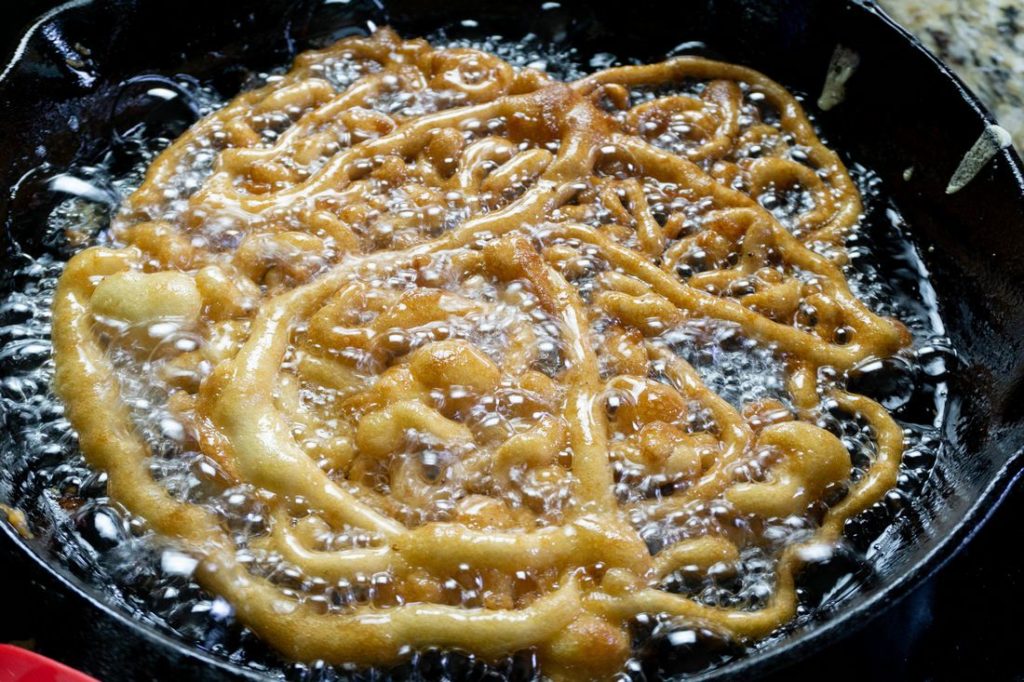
(758, 664)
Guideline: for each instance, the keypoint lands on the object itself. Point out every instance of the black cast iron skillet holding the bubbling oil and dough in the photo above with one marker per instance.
(903, 109)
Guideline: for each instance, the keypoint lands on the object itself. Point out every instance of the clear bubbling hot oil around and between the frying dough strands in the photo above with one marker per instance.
(100, 542)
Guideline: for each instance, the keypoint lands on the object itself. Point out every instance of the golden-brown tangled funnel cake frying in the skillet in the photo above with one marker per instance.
(420, 313)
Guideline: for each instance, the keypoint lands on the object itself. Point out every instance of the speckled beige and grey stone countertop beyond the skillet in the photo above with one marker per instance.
(984, 41)
